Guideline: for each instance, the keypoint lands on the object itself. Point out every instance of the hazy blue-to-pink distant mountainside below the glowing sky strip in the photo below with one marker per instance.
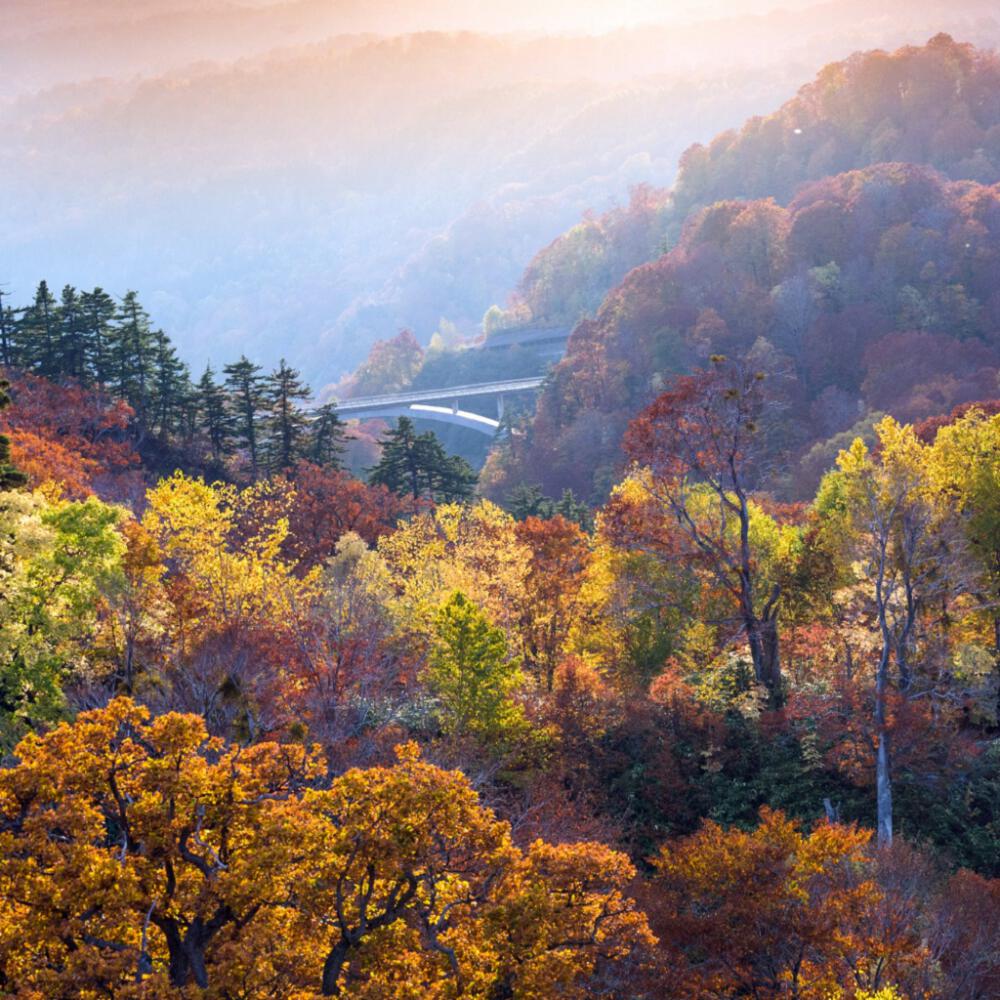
(422, 165)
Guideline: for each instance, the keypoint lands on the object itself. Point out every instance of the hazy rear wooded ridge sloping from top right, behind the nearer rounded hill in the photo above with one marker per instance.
(938, 105)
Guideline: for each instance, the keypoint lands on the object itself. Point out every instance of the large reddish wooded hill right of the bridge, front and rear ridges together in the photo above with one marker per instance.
(854, 254)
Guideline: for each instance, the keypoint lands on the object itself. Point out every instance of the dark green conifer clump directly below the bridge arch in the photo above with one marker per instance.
(416, 464)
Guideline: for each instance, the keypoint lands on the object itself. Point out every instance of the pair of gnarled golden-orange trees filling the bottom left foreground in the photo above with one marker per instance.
(139, 857)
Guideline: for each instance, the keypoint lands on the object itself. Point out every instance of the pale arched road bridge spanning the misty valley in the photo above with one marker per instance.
(425, 405)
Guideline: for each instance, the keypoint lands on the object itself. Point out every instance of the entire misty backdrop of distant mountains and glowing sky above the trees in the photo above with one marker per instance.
(302, 179)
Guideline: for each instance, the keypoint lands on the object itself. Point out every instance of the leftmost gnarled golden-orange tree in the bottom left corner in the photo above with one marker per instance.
(138, 854)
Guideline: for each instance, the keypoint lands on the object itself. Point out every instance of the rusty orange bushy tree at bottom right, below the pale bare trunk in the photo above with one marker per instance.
(778, 913)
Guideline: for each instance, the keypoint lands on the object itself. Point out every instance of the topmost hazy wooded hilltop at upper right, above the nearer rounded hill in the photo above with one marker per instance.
(938, 105)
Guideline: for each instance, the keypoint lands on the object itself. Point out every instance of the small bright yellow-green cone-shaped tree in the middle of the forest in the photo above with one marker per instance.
(472, 675)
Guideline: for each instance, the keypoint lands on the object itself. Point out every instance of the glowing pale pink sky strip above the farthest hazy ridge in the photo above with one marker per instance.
(50, 41)
